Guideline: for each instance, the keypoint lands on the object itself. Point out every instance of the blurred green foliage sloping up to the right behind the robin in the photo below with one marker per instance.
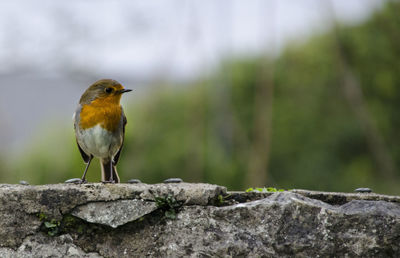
(203, 131)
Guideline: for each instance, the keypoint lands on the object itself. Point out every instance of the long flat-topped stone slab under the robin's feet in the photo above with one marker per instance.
(21, 206)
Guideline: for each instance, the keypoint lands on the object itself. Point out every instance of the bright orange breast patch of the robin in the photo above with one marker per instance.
(106, 112)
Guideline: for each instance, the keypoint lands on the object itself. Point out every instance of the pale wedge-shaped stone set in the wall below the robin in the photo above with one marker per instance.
(114, 213)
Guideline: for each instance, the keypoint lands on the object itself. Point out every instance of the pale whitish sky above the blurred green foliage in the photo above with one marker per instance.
(143, 37)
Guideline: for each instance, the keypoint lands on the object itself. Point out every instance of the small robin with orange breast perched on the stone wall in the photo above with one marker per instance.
(99, 123)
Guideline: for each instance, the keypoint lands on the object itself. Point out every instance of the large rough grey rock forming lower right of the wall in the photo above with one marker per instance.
(284, 224)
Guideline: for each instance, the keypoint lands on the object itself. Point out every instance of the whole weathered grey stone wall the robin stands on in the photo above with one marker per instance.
(211, 222)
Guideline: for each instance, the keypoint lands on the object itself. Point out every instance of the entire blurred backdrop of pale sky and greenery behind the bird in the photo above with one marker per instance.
(289, 94)
